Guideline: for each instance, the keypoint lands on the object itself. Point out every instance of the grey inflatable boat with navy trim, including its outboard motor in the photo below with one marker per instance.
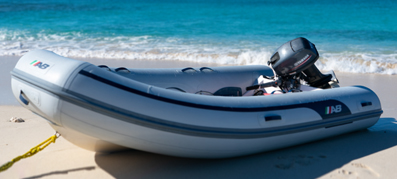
(207, 112)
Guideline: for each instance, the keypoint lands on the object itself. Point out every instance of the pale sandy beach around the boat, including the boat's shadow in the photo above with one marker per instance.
(368, 153)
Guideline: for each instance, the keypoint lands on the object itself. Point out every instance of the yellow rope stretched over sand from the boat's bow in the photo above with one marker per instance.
(31, 152)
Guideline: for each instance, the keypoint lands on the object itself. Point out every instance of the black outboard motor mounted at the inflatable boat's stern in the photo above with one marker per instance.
(294, 61)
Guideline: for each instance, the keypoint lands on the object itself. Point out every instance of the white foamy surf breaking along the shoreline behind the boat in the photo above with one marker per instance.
(204, 51)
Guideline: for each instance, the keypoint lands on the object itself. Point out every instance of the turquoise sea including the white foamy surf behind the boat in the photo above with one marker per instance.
(350, 35)
